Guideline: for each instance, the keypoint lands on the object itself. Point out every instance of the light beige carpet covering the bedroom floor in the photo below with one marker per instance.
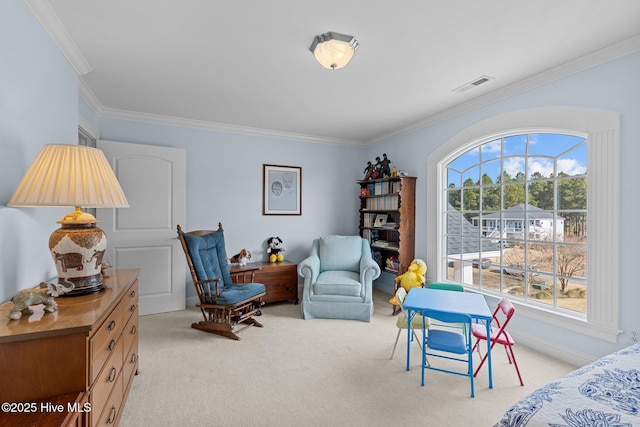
(320, 372)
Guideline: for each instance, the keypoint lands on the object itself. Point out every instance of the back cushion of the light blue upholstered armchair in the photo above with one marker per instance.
(340, 253)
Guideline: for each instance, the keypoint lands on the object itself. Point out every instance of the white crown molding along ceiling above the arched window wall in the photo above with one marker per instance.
(577, 65)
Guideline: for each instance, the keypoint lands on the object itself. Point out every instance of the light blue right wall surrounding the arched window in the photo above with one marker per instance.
(612, 86)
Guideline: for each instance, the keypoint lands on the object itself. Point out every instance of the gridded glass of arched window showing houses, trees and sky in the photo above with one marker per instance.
(516, 193)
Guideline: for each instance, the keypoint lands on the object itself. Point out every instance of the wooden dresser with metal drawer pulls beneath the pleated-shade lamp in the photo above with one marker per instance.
(73, 367)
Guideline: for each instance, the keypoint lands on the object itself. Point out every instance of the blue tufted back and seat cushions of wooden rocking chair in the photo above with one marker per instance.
(209, 261)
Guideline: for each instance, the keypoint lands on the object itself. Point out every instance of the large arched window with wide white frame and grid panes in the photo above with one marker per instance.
(533, 197)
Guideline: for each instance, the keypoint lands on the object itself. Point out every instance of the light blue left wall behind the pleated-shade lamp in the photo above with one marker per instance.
(38, 106)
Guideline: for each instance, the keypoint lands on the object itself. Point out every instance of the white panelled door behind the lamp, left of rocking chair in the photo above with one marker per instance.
(144, 235)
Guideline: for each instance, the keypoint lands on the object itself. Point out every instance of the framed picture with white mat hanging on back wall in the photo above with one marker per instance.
(281, 190)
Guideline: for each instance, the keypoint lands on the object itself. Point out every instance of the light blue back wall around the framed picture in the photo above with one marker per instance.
(224, 184)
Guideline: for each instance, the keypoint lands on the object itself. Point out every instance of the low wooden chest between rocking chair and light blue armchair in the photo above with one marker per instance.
(280, 279)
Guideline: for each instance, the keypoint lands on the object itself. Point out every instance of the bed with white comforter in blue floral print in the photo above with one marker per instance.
(603, 393)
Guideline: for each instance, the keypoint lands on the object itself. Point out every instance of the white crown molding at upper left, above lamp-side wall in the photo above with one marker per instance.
(49, 20)
